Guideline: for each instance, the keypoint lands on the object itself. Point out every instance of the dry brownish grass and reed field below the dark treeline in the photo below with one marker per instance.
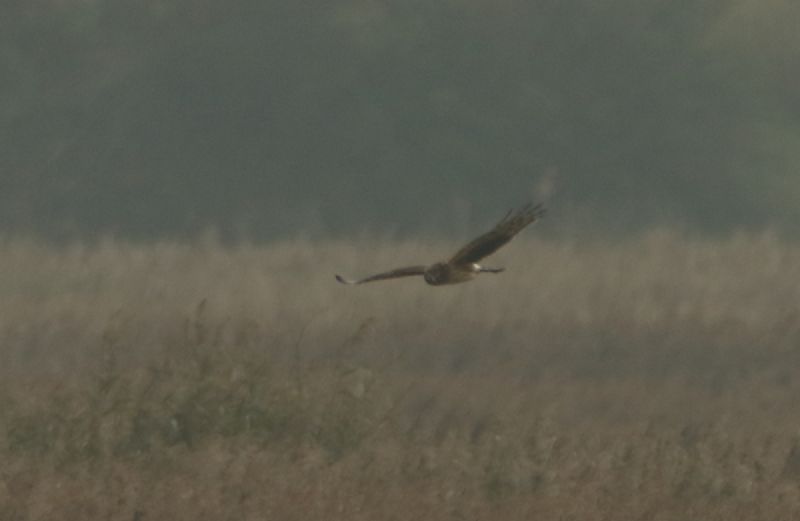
(653, 379)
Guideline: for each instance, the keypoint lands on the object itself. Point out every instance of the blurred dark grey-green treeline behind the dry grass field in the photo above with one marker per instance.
(267, 117)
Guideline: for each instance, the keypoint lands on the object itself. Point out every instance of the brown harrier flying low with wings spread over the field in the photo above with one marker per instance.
(463, 265)
